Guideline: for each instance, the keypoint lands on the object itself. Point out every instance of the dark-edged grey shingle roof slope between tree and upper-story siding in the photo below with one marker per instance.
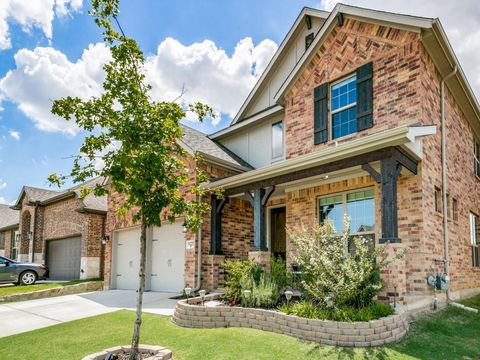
(198, 141)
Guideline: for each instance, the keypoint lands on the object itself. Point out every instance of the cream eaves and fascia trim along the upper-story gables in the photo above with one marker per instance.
(433, 38)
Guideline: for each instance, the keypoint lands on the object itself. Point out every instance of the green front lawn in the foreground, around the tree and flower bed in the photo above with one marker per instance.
(449, 334)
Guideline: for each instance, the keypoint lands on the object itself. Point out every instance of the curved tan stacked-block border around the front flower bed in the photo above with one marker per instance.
(358, 334)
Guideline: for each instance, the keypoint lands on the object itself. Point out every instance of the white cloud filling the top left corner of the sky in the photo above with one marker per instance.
(31, 14)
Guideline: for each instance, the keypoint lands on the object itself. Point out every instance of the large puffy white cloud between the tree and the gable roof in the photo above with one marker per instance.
(207, 72)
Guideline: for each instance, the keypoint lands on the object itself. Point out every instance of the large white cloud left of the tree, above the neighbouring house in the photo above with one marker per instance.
(45, 74)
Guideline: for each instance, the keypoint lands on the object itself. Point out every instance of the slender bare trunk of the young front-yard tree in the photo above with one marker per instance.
(141, 288)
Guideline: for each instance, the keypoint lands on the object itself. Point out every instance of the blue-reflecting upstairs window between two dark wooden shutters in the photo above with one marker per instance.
(344, 107)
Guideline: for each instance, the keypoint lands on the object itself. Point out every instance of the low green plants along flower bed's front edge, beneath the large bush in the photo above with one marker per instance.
(310, 310)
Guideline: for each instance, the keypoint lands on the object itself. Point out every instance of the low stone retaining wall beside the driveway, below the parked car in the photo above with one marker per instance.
(57, 291)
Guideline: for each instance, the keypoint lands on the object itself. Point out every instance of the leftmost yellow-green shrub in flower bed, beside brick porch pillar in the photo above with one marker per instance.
(235, 271)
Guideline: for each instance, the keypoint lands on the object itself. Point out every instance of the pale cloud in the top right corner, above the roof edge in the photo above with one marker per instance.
(461, 21)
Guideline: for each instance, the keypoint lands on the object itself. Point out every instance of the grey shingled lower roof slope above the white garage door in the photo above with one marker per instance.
(196, 141)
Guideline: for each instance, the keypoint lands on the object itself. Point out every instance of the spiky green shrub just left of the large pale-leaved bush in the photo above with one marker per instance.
(264, 293)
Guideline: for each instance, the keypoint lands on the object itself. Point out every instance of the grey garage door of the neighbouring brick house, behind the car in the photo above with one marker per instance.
(63, 258)
